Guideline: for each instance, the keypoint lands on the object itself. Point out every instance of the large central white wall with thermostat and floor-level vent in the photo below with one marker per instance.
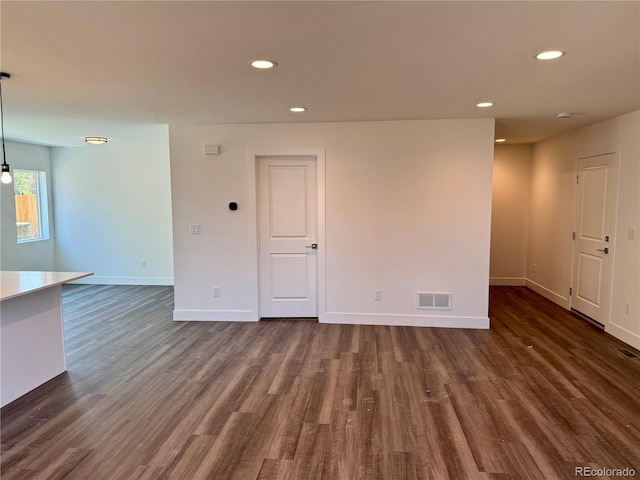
(408, 208)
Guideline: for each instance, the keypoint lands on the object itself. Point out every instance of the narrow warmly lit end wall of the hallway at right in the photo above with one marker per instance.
(510, 214)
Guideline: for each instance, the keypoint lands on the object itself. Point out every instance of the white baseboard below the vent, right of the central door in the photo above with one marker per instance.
(405, 320)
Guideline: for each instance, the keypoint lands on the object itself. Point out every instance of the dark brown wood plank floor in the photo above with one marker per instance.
(539, 394)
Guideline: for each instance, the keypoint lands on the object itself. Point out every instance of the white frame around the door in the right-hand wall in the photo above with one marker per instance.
(615, 167)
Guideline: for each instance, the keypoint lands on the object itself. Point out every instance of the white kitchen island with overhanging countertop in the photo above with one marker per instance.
(32, 331)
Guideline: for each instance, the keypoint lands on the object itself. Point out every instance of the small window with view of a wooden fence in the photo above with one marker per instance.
(30, 188)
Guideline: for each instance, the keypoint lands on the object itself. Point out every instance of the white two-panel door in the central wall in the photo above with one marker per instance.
(287, 216)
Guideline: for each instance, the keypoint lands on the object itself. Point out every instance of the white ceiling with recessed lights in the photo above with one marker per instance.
(126, 69)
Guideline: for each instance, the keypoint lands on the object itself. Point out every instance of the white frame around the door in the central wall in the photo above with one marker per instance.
(253, 156)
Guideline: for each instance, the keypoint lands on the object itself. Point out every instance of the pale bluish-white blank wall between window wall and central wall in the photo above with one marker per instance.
(113, 211)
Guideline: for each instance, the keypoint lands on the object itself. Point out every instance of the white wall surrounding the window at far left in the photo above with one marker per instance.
(37, 255)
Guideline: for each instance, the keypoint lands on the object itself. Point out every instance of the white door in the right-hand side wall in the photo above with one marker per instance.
(595, 225)
